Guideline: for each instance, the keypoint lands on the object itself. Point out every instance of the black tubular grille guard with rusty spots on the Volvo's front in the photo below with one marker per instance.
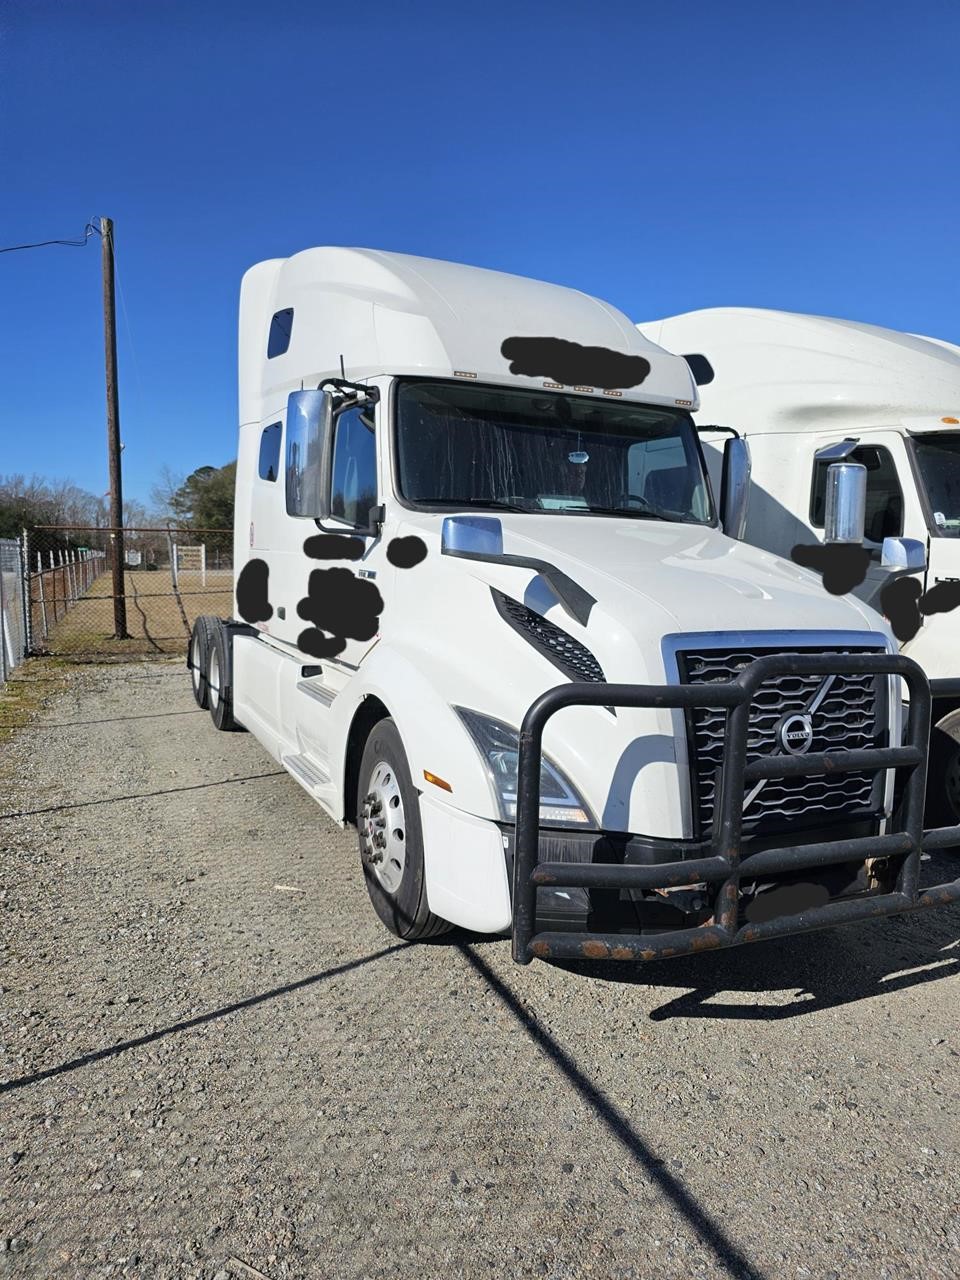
(724, 868)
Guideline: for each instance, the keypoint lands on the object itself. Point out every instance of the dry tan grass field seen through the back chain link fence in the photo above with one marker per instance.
(158, 619)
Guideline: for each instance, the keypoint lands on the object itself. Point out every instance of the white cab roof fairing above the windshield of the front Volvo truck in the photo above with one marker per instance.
(397, 314)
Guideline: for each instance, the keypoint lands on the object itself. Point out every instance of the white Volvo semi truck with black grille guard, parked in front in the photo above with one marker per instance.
(487, 612)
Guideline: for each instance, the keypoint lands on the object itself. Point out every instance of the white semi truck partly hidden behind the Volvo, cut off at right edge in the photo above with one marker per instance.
(808, 391)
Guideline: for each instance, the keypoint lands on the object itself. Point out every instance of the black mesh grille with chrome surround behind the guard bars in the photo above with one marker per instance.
(852, 715)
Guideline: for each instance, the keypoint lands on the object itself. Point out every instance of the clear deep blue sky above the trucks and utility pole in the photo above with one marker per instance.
(665, 158)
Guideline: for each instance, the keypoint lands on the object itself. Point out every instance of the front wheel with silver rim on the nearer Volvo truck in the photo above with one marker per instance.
(391, 838)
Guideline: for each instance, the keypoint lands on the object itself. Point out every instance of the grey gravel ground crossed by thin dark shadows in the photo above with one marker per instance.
(212, 1052)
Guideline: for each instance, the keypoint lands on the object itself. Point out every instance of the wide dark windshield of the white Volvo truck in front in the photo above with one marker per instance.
(461, 446)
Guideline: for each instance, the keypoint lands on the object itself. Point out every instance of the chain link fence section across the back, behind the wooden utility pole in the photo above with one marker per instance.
(170, 578)
